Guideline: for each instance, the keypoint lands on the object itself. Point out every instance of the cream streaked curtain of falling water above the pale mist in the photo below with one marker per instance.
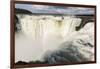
(36, 26)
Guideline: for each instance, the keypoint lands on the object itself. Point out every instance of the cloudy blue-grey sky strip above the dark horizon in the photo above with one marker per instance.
(55, 9)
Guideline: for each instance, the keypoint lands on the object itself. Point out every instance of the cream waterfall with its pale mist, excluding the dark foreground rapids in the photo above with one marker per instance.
(42, 33)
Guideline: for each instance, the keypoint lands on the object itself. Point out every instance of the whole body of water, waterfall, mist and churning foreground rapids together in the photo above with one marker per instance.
(40, 36)
